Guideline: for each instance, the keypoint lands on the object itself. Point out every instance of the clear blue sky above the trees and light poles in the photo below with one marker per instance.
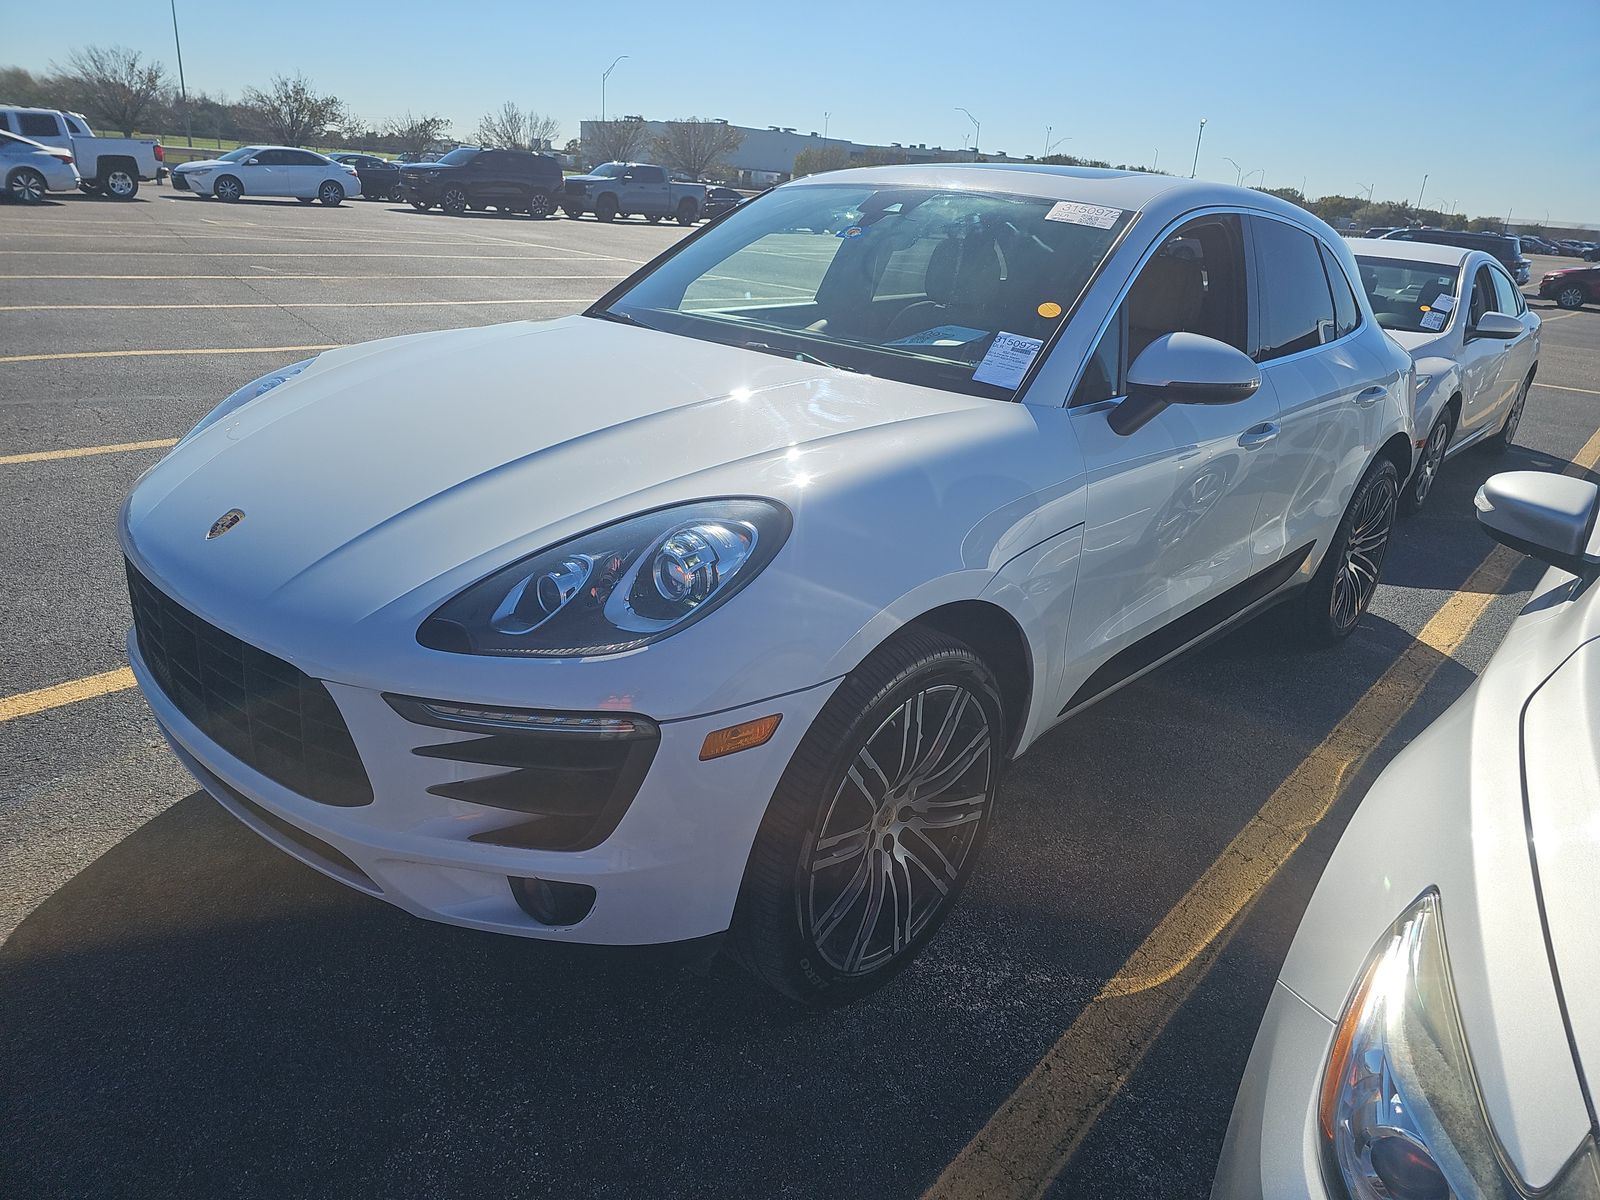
(1498, 103)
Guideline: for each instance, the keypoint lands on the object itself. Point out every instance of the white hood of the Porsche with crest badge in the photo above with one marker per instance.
(436, 458)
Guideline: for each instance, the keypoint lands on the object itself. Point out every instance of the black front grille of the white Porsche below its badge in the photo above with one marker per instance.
(266, 713)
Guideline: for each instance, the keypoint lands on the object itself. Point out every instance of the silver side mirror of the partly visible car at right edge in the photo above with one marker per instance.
(1546, 516)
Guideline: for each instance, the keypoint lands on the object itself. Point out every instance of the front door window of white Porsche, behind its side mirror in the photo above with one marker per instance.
(1194, 284)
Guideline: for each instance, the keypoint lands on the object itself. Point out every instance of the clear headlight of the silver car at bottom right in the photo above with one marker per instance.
(1401, 1111)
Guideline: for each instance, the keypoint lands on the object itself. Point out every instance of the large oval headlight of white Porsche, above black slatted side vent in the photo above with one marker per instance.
(615, 588)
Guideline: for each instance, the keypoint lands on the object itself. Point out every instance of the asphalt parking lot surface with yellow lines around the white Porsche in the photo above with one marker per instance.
(188, 1012)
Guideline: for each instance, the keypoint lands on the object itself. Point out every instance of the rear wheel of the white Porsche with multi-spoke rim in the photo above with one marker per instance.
(1337, 598)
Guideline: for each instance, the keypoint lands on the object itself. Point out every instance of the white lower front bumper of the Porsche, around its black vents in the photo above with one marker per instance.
(670, 873)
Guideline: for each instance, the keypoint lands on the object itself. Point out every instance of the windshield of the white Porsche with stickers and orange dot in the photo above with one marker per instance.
(943, 289)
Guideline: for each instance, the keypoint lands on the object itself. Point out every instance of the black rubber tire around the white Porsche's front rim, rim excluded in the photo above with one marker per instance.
(769, 929)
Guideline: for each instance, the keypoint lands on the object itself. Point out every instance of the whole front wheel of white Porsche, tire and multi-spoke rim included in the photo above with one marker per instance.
(876, 825)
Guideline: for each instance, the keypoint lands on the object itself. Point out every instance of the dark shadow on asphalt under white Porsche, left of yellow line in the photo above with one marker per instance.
(201, 1015)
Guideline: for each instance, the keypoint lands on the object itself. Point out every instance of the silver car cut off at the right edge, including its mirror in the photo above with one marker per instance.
(1431, 1031)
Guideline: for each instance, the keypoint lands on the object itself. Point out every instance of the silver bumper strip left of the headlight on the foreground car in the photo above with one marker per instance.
(1274, 1148)
